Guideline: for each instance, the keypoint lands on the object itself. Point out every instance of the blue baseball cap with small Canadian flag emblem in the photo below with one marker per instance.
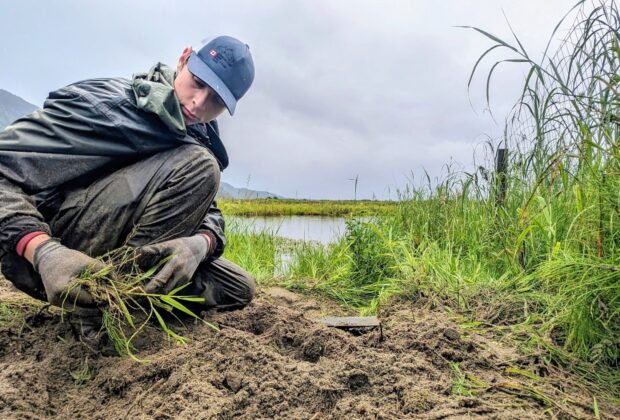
(226, 65)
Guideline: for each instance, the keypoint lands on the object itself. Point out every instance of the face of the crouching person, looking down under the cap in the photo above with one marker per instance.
(199, 103)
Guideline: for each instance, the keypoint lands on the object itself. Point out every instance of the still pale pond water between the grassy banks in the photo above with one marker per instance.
(306, 228)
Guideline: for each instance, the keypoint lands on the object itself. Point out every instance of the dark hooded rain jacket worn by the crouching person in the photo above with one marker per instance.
(84, 131)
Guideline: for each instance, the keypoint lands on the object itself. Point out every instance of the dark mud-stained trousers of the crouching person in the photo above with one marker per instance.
(162, 197)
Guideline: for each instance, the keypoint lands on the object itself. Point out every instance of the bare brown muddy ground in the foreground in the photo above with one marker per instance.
(274, 360)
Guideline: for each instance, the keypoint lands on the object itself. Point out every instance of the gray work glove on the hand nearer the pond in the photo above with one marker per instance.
(186, 254)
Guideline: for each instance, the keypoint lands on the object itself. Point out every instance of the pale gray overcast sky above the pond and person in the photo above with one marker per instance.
(374, 89)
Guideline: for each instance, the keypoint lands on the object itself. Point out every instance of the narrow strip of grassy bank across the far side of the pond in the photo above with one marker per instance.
(286, 207)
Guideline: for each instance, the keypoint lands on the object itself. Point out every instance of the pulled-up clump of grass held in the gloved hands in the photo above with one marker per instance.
(127, 309)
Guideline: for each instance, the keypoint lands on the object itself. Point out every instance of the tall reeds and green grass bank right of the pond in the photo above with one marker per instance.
(534, 252)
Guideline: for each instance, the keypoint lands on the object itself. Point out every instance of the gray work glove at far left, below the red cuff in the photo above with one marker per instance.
(58, 265)
